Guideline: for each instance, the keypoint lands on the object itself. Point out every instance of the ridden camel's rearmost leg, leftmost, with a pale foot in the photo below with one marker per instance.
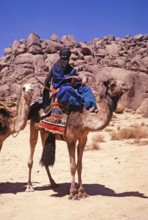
(33, 142)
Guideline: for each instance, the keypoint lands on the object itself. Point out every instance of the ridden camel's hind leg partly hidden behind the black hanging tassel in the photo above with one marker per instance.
(44, 136)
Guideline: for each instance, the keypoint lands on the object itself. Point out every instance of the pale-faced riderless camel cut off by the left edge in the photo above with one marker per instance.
(11, 123)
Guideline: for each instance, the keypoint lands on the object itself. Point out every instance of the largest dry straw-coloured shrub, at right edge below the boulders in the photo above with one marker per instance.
(134, 132)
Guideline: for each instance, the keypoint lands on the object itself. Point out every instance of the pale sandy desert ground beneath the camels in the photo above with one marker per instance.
(115, 177)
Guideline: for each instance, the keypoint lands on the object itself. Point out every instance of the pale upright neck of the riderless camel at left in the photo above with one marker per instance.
(20, 120)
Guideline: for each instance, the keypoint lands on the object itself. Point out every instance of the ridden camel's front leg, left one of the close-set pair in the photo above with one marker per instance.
(71, 149)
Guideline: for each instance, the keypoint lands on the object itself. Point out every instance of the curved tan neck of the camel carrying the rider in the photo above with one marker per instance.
(98, 121)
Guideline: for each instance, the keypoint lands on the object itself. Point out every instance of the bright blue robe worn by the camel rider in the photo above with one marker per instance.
(78, 95)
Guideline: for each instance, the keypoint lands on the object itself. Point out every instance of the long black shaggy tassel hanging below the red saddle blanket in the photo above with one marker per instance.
(48, 155)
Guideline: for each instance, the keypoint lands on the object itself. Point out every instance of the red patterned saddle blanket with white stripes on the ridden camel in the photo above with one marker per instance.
(56, 121)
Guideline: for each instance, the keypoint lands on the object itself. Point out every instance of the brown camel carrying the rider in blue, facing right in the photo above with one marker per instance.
(80, 123)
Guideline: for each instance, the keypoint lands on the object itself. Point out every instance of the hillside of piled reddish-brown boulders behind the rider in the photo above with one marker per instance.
(124, 58)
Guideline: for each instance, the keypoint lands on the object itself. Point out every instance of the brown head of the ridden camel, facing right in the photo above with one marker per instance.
(115, 87)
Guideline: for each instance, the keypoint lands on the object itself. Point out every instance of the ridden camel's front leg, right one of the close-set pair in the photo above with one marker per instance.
(80, 150)
